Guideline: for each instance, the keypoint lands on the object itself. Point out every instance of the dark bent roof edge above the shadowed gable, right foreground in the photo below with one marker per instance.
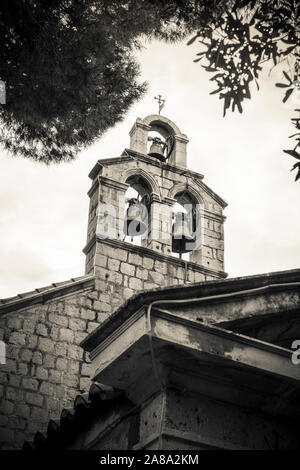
(222, 288)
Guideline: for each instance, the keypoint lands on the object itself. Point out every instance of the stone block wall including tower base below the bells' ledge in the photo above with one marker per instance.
(46, 367)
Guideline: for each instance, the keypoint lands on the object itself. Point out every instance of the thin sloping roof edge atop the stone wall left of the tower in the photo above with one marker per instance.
(42, 294)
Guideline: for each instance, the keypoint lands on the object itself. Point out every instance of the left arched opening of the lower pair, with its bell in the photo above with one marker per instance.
(137, 210)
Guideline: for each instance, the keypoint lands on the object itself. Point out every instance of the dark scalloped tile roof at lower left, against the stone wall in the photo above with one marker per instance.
(61, 432)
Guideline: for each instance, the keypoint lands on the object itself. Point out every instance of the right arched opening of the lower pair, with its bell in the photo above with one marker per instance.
(186, 225)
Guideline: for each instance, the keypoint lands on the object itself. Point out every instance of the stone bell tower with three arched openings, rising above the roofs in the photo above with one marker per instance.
(155, 168)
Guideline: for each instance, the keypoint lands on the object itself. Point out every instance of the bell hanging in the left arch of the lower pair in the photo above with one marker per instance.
(135, 222)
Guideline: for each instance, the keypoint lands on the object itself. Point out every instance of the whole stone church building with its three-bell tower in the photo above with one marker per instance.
(154, 347)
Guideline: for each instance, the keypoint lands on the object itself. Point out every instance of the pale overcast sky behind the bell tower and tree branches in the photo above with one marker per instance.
(44, 210)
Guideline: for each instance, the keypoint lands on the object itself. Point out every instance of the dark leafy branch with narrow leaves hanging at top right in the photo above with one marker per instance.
(235, 45)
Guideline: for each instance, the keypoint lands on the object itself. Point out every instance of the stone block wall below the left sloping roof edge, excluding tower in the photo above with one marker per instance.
(45, 366)
